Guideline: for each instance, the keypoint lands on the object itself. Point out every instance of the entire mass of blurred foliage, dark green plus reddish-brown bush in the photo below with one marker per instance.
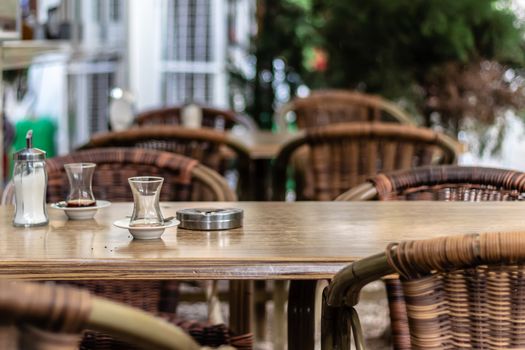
(430, 53)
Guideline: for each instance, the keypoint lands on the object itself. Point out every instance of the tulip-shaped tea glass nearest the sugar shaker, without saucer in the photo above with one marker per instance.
(80, 177)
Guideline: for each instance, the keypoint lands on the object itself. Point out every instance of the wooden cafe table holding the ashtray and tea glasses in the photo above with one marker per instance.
(301, 241)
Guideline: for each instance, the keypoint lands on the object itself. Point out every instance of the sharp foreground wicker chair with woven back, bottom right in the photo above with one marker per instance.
(462, 291)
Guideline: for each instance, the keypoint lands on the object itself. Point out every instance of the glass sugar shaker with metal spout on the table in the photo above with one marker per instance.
(30, 179)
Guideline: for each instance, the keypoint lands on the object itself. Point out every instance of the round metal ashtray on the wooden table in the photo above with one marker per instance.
(207, 219)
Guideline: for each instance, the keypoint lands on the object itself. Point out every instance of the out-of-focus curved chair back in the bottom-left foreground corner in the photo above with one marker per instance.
(44, 316)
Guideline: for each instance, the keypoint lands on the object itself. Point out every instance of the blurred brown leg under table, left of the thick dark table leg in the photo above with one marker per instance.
(241, 305)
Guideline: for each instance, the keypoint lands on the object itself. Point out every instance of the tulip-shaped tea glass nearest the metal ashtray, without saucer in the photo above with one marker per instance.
(146, 193)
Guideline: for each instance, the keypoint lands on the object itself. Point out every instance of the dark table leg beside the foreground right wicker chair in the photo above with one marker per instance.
(304, 314)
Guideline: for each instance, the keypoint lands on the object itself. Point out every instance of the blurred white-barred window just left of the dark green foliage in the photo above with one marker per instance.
(191, 61)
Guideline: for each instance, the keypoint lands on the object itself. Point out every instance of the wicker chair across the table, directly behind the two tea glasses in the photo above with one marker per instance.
(185, 179)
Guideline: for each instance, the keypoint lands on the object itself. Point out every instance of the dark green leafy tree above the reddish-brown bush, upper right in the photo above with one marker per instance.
(388, 46)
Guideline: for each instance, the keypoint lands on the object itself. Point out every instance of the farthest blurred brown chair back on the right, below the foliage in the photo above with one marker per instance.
(325, 107)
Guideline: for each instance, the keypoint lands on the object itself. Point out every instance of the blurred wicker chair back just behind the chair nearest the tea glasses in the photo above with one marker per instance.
(210, 147)
